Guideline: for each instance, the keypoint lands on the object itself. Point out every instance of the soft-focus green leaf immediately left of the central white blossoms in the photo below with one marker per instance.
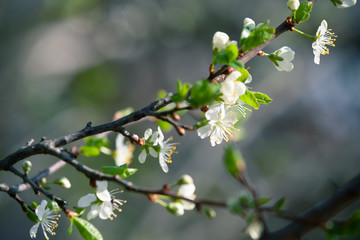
(203, 92)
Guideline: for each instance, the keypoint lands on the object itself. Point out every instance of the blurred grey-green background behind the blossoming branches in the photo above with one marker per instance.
(66, 62)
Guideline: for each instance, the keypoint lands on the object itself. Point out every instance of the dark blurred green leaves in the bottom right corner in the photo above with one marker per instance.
(350, 228)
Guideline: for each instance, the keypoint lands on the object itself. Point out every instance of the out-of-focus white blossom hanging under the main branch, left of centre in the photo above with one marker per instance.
(124, 151)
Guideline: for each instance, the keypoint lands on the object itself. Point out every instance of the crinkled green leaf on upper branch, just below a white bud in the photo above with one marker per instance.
(261, 34)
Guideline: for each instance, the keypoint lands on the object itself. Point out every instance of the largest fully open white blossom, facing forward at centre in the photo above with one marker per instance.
(220, 125)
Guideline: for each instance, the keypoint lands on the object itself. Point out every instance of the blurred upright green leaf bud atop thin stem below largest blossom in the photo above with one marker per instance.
(234, 161)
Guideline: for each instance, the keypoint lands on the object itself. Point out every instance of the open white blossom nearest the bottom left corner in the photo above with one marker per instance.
(47, 219)
